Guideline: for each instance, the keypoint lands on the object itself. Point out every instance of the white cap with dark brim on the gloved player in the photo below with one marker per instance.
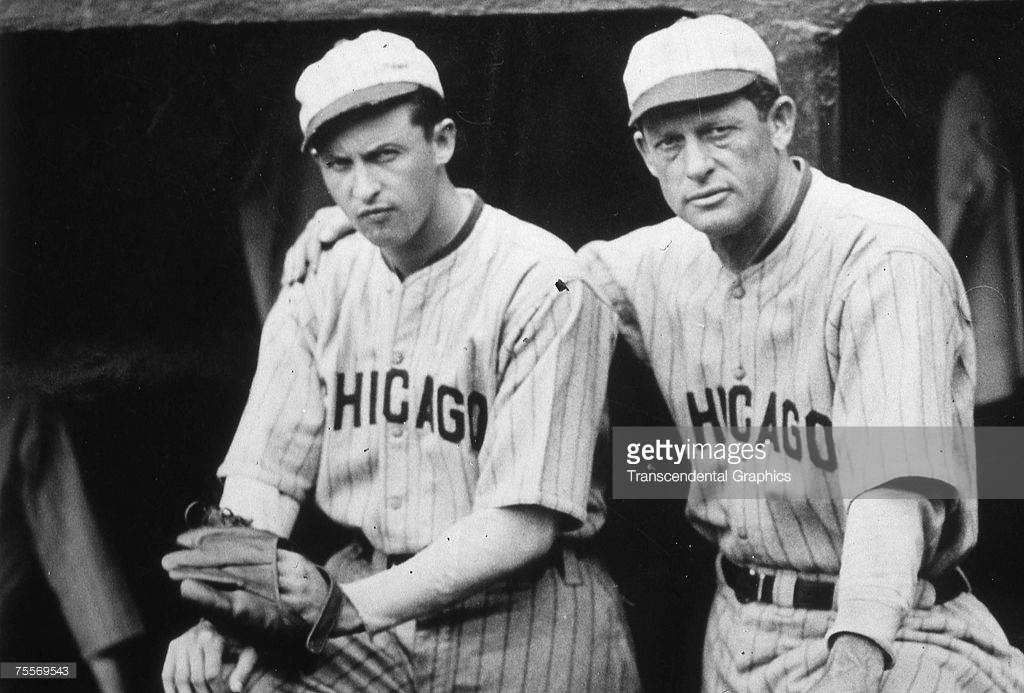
(370, 69)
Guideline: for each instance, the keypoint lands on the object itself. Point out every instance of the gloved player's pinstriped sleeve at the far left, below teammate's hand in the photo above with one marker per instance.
(278, 441)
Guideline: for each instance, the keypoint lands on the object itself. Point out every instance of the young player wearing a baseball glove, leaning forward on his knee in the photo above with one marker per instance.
(438, 385)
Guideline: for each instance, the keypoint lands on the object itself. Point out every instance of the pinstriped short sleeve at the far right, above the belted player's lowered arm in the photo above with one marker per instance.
(903, 410)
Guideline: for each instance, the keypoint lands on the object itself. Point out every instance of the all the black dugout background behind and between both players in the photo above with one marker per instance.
(124, 155)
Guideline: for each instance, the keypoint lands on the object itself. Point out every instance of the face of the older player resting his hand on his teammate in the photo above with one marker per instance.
(718, 165)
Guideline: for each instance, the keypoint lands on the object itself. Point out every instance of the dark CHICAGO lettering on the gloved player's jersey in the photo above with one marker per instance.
(374, 397)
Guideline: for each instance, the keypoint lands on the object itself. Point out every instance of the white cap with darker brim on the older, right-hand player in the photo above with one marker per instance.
(695, 59)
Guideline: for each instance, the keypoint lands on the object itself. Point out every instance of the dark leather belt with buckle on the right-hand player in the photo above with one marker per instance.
(751, 585)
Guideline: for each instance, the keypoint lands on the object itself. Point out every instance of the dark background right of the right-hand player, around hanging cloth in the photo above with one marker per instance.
(897, 64)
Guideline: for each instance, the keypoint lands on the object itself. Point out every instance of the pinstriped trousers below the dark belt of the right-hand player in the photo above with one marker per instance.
(957, 646)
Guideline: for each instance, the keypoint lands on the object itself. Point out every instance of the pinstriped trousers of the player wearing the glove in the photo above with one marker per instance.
(562, 632)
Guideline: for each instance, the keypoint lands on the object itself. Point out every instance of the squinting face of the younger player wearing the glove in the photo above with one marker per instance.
(386, 175)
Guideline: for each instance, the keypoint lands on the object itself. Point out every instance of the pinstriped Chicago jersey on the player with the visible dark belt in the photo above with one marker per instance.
(857, 319)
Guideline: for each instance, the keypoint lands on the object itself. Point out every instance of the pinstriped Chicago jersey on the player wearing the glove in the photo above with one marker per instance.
(405, 405)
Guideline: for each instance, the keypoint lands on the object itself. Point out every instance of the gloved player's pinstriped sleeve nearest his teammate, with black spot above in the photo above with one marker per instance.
(553, 365)
